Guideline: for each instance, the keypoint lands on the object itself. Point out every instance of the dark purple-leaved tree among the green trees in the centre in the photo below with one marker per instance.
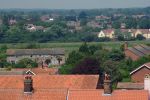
(88, 65)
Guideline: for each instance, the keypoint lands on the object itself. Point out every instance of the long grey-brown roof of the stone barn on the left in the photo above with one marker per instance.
(18, 52)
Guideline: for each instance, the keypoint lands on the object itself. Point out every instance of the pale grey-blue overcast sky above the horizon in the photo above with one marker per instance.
(73, 4)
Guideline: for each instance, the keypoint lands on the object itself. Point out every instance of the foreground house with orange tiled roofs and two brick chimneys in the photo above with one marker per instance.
(63, 87)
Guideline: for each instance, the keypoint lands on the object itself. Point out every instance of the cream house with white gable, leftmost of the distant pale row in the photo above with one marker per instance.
(107, 33)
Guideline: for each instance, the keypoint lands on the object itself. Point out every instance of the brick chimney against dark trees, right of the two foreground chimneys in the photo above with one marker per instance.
(107, 85)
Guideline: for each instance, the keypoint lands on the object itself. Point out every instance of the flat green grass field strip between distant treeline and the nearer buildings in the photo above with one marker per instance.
(75, 45)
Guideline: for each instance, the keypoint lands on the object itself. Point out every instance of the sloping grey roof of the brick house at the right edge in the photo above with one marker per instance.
(140, 50)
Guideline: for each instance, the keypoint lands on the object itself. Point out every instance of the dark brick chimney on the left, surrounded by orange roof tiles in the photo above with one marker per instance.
(28, 84)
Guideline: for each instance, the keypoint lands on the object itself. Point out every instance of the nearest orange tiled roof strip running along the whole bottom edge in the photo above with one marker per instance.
(64, 94)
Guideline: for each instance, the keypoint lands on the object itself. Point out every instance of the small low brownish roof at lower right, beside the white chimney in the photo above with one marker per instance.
(130, 86)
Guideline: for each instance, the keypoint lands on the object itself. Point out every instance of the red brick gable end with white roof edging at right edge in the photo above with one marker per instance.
(138, 74)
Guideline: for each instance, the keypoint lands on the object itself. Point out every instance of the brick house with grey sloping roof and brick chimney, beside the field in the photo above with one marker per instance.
(136, 52)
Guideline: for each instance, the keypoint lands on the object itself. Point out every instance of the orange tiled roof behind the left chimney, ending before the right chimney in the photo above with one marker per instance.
(51, 81)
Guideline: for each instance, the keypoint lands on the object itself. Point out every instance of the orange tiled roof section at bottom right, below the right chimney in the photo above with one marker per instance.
(116, 95)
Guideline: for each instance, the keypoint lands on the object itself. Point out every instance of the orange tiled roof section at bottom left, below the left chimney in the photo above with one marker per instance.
(40, 94)
